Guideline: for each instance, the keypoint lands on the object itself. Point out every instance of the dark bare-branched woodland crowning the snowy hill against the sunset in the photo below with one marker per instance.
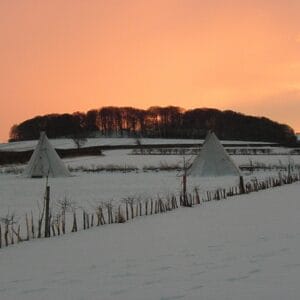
(154, 122)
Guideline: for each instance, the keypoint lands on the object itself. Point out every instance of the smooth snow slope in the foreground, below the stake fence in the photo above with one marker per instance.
(245, 247)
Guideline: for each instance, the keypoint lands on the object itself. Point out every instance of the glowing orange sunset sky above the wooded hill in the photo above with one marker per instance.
(75, 55)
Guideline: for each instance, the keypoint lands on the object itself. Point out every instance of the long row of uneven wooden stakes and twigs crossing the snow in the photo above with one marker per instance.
(129, 208)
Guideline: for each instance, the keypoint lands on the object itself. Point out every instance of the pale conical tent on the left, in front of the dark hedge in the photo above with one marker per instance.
(45, 162)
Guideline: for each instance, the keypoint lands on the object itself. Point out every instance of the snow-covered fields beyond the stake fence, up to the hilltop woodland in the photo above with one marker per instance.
(118, 174)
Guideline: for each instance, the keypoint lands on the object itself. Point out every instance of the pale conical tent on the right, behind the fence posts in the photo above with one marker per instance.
(213, 160)
